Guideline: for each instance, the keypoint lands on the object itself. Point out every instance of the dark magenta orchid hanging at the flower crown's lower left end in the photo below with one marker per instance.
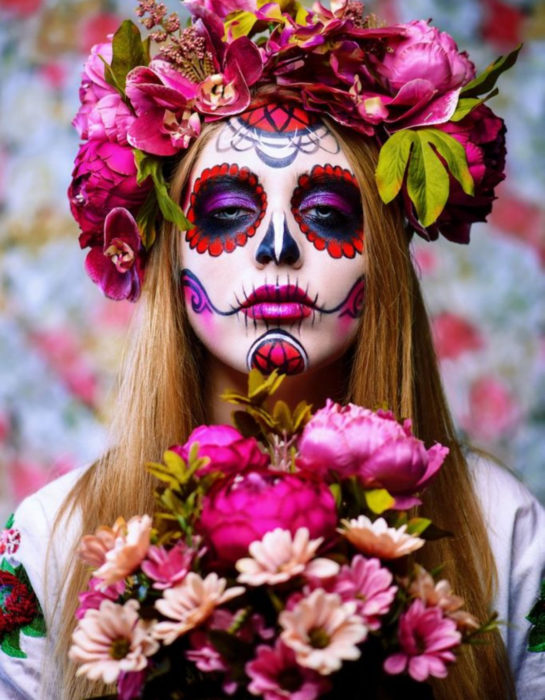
(117, 267)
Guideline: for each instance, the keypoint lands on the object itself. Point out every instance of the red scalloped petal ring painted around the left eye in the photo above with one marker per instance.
(215, 246)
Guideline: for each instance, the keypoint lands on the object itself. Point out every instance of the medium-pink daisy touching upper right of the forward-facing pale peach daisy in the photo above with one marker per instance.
(370, 585)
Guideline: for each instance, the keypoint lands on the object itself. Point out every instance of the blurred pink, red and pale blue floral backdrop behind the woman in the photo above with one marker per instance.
(61, 341)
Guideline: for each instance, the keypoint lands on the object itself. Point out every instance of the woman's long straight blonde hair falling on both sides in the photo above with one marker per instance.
(160, 401)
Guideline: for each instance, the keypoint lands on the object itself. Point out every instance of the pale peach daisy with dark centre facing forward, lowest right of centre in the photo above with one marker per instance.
(323, 631)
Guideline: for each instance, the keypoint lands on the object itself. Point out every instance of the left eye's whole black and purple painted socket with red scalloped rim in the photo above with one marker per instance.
(227, 205)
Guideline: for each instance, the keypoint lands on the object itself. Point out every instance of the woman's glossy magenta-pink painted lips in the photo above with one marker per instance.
(270, 303)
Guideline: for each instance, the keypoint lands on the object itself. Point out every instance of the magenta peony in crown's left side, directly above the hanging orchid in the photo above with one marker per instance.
(104, 177)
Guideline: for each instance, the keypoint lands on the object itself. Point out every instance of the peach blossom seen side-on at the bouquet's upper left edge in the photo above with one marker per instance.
(117, 552)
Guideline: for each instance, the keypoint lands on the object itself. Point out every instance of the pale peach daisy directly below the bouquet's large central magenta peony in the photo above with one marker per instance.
(280, 556)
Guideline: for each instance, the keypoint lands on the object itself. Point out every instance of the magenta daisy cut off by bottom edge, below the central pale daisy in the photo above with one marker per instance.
(275, 675)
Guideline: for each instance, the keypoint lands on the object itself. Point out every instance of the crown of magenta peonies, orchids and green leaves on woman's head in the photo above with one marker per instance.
(442, 150)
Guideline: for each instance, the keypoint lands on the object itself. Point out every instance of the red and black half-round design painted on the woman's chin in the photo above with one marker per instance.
(277, 349)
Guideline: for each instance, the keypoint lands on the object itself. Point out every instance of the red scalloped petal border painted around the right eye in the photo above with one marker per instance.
(335, 247)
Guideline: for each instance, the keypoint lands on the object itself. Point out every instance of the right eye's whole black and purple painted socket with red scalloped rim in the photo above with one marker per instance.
(327, 206)
